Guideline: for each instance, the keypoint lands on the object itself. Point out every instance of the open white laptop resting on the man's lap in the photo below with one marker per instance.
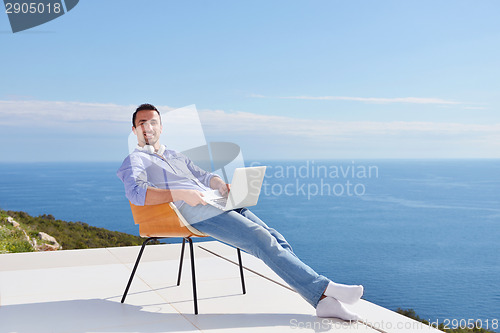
(245, 190)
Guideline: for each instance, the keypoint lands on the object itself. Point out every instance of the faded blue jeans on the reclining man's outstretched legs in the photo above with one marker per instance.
(243, 229)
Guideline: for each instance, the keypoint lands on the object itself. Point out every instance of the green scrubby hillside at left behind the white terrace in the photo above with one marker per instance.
(70, 235)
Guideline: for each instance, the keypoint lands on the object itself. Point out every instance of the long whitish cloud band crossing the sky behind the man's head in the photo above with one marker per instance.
(58, 112)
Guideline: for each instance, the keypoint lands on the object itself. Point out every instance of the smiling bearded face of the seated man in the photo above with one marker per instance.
(148, 128)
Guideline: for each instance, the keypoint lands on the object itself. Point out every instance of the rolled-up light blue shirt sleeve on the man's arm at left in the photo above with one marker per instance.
(135, 179)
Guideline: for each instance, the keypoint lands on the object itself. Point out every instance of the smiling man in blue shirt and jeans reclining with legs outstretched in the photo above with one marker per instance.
(153, 175)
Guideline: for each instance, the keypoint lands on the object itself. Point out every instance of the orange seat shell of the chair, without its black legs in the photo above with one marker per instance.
(162, 220)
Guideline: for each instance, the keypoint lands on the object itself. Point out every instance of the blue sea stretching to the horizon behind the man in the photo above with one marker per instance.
(417, 234)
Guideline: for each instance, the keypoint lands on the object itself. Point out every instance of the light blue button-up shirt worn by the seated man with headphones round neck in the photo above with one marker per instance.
(166, 169)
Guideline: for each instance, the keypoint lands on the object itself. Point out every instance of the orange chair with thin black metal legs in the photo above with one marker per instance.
(163, 221)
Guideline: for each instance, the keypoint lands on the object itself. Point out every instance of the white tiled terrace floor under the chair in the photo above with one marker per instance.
(80, 291)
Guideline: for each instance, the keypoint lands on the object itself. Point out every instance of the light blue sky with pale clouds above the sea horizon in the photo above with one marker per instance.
(282, 79)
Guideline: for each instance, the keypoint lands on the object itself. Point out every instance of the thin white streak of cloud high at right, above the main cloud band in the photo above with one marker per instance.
(378, 100)
